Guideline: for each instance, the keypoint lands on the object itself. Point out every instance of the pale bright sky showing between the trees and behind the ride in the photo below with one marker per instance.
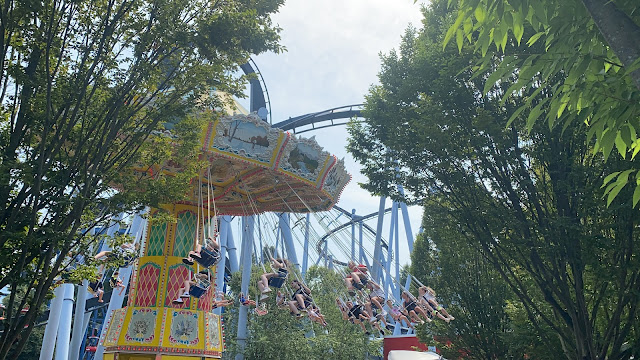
(332, 60)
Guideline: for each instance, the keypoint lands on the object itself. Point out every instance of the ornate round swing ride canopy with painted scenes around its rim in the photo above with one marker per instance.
(255, 168)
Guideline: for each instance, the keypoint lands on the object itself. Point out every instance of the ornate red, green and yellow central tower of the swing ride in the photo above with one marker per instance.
(152, 326)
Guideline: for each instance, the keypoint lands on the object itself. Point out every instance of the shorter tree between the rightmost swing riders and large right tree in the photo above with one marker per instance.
(466, 282)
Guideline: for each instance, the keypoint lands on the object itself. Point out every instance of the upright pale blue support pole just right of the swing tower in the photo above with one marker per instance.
(247, 240)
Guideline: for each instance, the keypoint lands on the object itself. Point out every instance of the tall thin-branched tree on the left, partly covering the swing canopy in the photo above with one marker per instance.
(84, 84)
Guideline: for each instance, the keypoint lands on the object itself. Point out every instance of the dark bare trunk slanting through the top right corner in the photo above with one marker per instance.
(619, 30)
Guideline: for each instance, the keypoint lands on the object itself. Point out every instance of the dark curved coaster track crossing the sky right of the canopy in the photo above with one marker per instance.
(330, 115)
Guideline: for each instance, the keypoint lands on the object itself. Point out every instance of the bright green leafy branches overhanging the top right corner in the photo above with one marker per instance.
(590, 62)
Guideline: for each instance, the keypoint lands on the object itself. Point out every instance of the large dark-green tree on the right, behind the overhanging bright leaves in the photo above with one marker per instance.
(528, 199)
